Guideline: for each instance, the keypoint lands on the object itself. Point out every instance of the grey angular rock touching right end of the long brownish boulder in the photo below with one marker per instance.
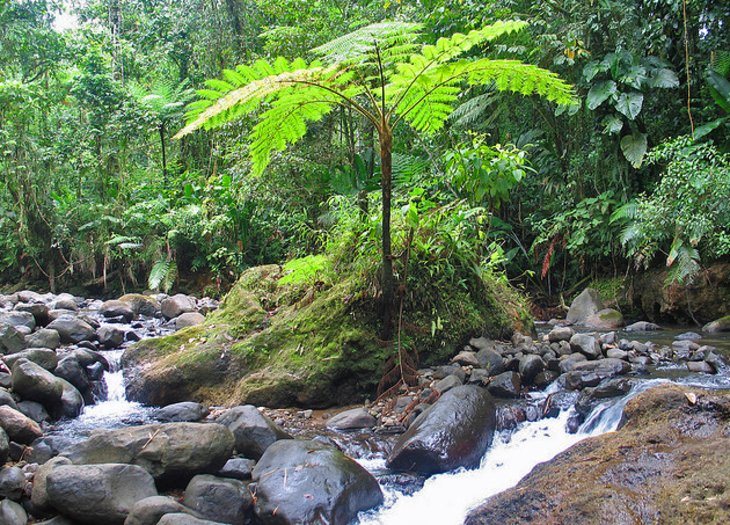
(253, 431)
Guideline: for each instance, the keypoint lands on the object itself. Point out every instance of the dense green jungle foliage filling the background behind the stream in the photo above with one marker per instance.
(630, 172)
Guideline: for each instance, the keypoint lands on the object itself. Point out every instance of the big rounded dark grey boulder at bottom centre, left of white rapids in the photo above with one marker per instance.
(310, 482)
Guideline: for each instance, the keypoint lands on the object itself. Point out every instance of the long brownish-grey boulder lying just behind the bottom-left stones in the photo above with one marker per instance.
(172, 452)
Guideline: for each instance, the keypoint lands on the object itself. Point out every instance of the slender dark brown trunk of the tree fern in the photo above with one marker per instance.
(388, 283)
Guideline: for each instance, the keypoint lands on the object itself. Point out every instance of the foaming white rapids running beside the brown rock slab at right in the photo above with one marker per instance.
(445, 499)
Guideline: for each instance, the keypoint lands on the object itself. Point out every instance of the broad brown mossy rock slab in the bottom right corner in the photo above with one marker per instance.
(668, 464)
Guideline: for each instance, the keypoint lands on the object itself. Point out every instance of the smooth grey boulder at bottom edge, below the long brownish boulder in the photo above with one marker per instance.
(97, 494)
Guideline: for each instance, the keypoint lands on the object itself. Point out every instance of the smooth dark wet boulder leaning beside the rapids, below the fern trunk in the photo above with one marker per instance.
(454, 432)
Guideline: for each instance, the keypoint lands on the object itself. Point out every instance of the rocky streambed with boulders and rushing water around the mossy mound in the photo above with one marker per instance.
(76, 451)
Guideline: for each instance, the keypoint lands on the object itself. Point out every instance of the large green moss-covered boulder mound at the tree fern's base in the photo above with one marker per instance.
(301, 335)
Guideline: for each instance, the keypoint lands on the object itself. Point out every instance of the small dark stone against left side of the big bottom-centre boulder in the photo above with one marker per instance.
(218, 499)
